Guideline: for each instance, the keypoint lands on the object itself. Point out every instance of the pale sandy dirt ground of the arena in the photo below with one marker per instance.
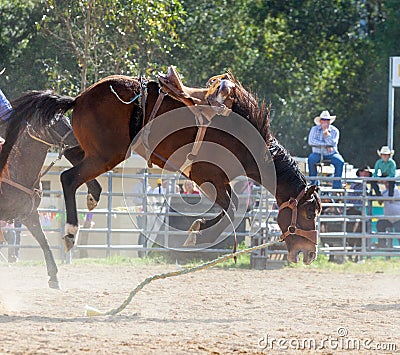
(214, 311)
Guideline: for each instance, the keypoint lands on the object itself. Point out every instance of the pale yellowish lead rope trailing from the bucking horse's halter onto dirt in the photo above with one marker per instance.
(90, 311)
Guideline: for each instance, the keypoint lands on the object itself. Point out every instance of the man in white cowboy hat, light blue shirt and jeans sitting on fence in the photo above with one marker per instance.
(324, 139)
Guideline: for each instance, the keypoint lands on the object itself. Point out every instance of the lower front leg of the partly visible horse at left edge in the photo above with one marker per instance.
(33, 225)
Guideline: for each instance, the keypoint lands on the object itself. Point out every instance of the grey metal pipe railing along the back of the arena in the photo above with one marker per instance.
(115, 233)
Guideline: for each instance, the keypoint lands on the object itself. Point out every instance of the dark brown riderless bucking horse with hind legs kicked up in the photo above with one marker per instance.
(109, 115)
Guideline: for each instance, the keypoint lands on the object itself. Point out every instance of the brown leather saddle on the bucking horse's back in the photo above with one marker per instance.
(215, 100)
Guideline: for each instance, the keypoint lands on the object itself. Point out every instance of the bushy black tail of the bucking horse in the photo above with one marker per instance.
(38, 107)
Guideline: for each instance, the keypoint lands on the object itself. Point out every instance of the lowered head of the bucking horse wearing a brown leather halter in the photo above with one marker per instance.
(297, 220)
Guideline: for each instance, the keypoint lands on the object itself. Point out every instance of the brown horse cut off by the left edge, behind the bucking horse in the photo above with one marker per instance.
(20, 188)
